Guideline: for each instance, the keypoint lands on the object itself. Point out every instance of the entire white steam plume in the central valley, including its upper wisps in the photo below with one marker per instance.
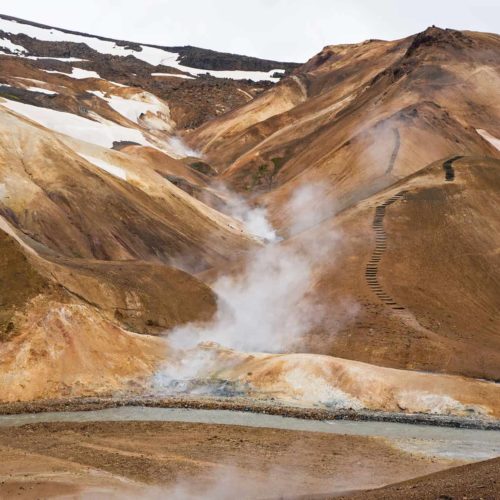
(269, 306)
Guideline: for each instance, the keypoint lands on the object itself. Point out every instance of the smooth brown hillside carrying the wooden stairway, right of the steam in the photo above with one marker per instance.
(421, 262)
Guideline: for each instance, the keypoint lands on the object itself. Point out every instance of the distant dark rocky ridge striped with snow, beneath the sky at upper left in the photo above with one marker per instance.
(198, 84)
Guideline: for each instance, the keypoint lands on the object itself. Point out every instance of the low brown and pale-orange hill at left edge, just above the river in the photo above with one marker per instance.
(71, 328)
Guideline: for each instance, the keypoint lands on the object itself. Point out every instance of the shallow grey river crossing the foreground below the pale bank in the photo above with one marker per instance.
(442, 442)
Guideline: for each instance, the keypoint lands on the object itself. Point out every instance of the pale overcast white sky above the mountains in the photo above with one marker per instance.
(290, 30)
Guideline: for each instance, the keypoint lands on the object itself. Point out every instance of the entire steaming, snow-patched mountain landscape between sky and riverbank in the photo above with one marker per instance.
(179, 217)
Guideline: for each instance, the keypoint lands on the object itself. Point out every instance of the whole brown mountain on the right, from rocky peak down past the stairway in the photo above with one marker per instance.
(380, 126)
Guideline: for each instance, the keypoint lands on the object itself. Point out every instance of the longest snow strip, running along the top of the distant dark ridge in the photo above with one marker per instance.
(151, 55)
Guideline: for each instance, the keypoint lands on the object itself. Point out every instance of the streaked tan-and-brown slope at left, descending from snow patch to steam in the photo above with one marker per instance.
(56, 191)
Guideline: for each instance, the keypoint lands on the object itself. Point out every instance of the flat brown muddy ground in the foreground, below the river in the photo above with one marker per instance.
(179, 460)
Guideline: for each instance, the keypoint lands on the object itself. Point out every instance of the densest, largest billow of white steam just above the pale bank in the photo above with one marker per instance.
(260, 310)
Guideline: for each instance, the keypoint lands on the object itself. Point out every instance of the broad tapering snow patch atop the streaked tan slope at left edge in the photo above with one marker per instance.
(103, 133)
